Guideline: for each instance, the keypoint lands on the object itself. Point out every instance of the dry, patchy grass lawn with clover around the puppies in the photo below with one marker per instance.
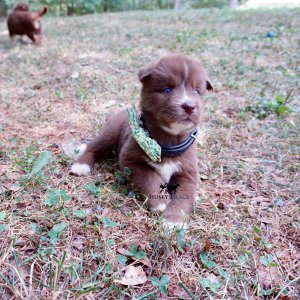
(64, 237)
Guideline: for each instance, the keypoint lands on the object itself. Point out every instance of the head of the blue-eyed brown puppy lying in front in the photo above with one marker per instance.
(173, 92)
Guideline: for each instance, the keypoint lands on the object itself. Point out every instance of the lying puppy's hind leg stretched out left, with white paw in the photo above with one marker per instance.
(101, 145)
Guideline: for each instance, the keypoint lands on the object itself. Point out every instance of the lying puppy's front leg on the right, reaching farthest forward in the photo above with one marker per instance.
(180, 207)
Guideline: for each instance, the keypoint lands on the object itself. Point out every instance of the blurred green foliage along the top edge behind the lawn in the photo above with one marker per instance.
(81, 7)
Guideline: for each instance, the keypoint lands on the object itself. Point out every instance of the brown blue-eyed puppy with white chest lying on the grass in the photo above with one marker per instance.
(171, 106)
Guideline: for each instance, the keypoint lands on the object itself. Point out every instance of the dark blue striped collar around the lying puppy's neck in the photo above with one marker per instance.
(175, 150)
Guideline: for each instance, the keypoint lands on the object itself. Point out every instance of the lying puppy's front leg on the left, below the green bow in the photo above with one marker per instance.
(148, 182)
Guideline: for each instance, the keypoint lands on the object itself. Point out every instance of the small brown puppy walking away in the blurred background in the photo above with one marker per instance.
(24, 22)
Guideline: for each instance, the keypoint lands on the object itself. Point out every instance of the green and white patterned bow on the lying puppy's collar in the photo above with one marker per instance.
(150, 146)
